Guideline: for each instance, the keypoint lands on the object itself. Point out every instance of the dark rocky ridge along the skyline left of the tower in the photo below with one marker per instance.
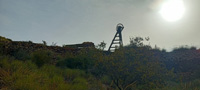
(9, 47)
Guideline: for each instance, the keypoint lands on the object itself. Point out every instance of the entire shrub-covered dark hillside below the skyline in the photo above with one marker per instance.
(135, 66)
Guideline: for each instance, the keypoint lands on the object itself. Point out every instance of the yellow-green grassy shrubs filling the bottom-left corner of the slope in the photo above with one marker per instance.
(20, 75)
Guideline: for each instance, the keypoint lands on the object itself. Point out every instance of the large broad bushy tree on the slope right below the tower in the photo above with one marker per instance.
(134, 66)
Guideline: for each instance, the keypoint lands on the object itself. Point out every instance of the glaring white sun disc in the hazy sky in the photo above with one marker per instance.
(172, 10)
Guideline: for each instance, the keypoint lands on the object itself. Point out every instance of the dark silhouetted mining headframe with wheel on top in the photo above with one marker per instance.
(117, 40)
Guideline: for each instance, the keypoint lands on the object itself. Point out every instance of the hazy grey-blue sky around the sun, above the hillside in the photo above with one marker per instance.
(77, 21)
